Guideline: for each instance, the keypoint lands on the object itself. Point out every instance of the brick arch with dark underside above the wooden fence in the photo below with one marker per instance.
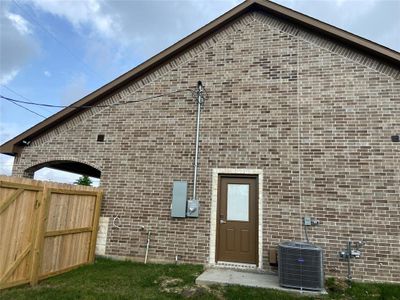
(77, 166)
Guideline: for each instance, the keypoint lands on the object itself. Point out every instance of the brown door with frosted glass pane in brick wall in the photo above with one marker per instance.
(237, 219)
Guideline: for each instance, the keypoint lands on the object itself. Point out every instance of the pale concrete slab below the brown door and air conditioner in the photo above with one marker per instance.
(214, 276)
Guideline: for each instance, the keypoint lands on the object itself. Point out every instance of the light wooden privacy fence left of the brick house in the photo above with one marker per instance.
(45, 228)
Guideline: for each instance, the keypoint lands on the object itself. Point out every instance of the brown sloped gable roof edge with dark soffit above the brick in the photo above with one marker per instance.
(361, 44)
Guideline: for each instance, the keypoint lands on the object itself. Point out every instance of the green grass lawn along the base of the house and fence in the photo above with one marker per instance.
(108, 279)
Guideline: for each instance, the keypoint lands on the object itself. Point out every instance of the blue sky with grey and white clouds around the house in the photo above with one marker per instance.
(56, 52)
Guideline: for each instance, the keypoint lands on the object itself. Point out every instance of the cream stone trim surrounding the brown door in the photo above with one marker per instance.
(216, 173)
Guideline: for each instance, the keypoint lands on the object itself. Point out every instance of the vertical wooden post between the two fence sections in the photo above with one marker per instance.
(39, 235)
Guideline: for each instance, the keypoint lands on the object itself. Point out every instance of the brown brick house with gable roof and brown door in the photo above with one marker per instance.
(300, 119)
